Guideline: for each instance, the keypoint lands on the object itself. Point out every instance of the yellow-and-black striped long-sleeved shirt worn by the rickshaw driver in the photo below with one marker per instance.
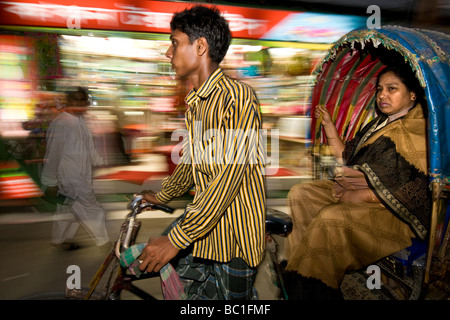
(223, 158)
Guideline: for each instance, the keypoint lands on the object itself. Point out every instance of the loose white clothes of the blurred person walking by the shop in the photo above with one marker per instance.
(69, 158)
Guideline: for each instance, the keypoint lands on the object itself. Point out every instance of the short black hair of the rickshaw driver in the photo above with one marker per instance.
(200, 21)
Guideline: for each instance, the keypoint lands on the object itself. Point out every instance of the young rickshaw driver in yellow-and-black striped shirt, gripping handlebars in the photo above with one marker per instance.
(221, 236)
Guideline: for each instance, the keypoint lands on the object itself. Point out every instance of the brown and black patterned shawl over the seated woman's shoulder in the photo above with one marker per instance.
(394, 161)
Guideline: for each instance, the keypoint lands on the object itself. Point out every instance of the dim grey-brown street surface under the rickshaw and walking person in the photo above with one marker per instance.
(29, 265)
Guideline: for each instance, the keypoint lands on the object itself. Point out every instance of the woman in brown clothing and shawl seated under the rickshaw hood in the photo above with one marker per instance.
(376, 203)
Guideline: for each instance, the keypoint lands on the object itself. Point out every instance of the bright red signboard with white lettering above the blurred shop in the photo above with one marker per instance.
(128, 15)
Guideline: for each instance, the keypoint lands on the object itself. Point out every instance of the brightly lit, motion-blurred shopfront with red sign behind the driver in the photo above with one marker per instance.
(117, 50)
